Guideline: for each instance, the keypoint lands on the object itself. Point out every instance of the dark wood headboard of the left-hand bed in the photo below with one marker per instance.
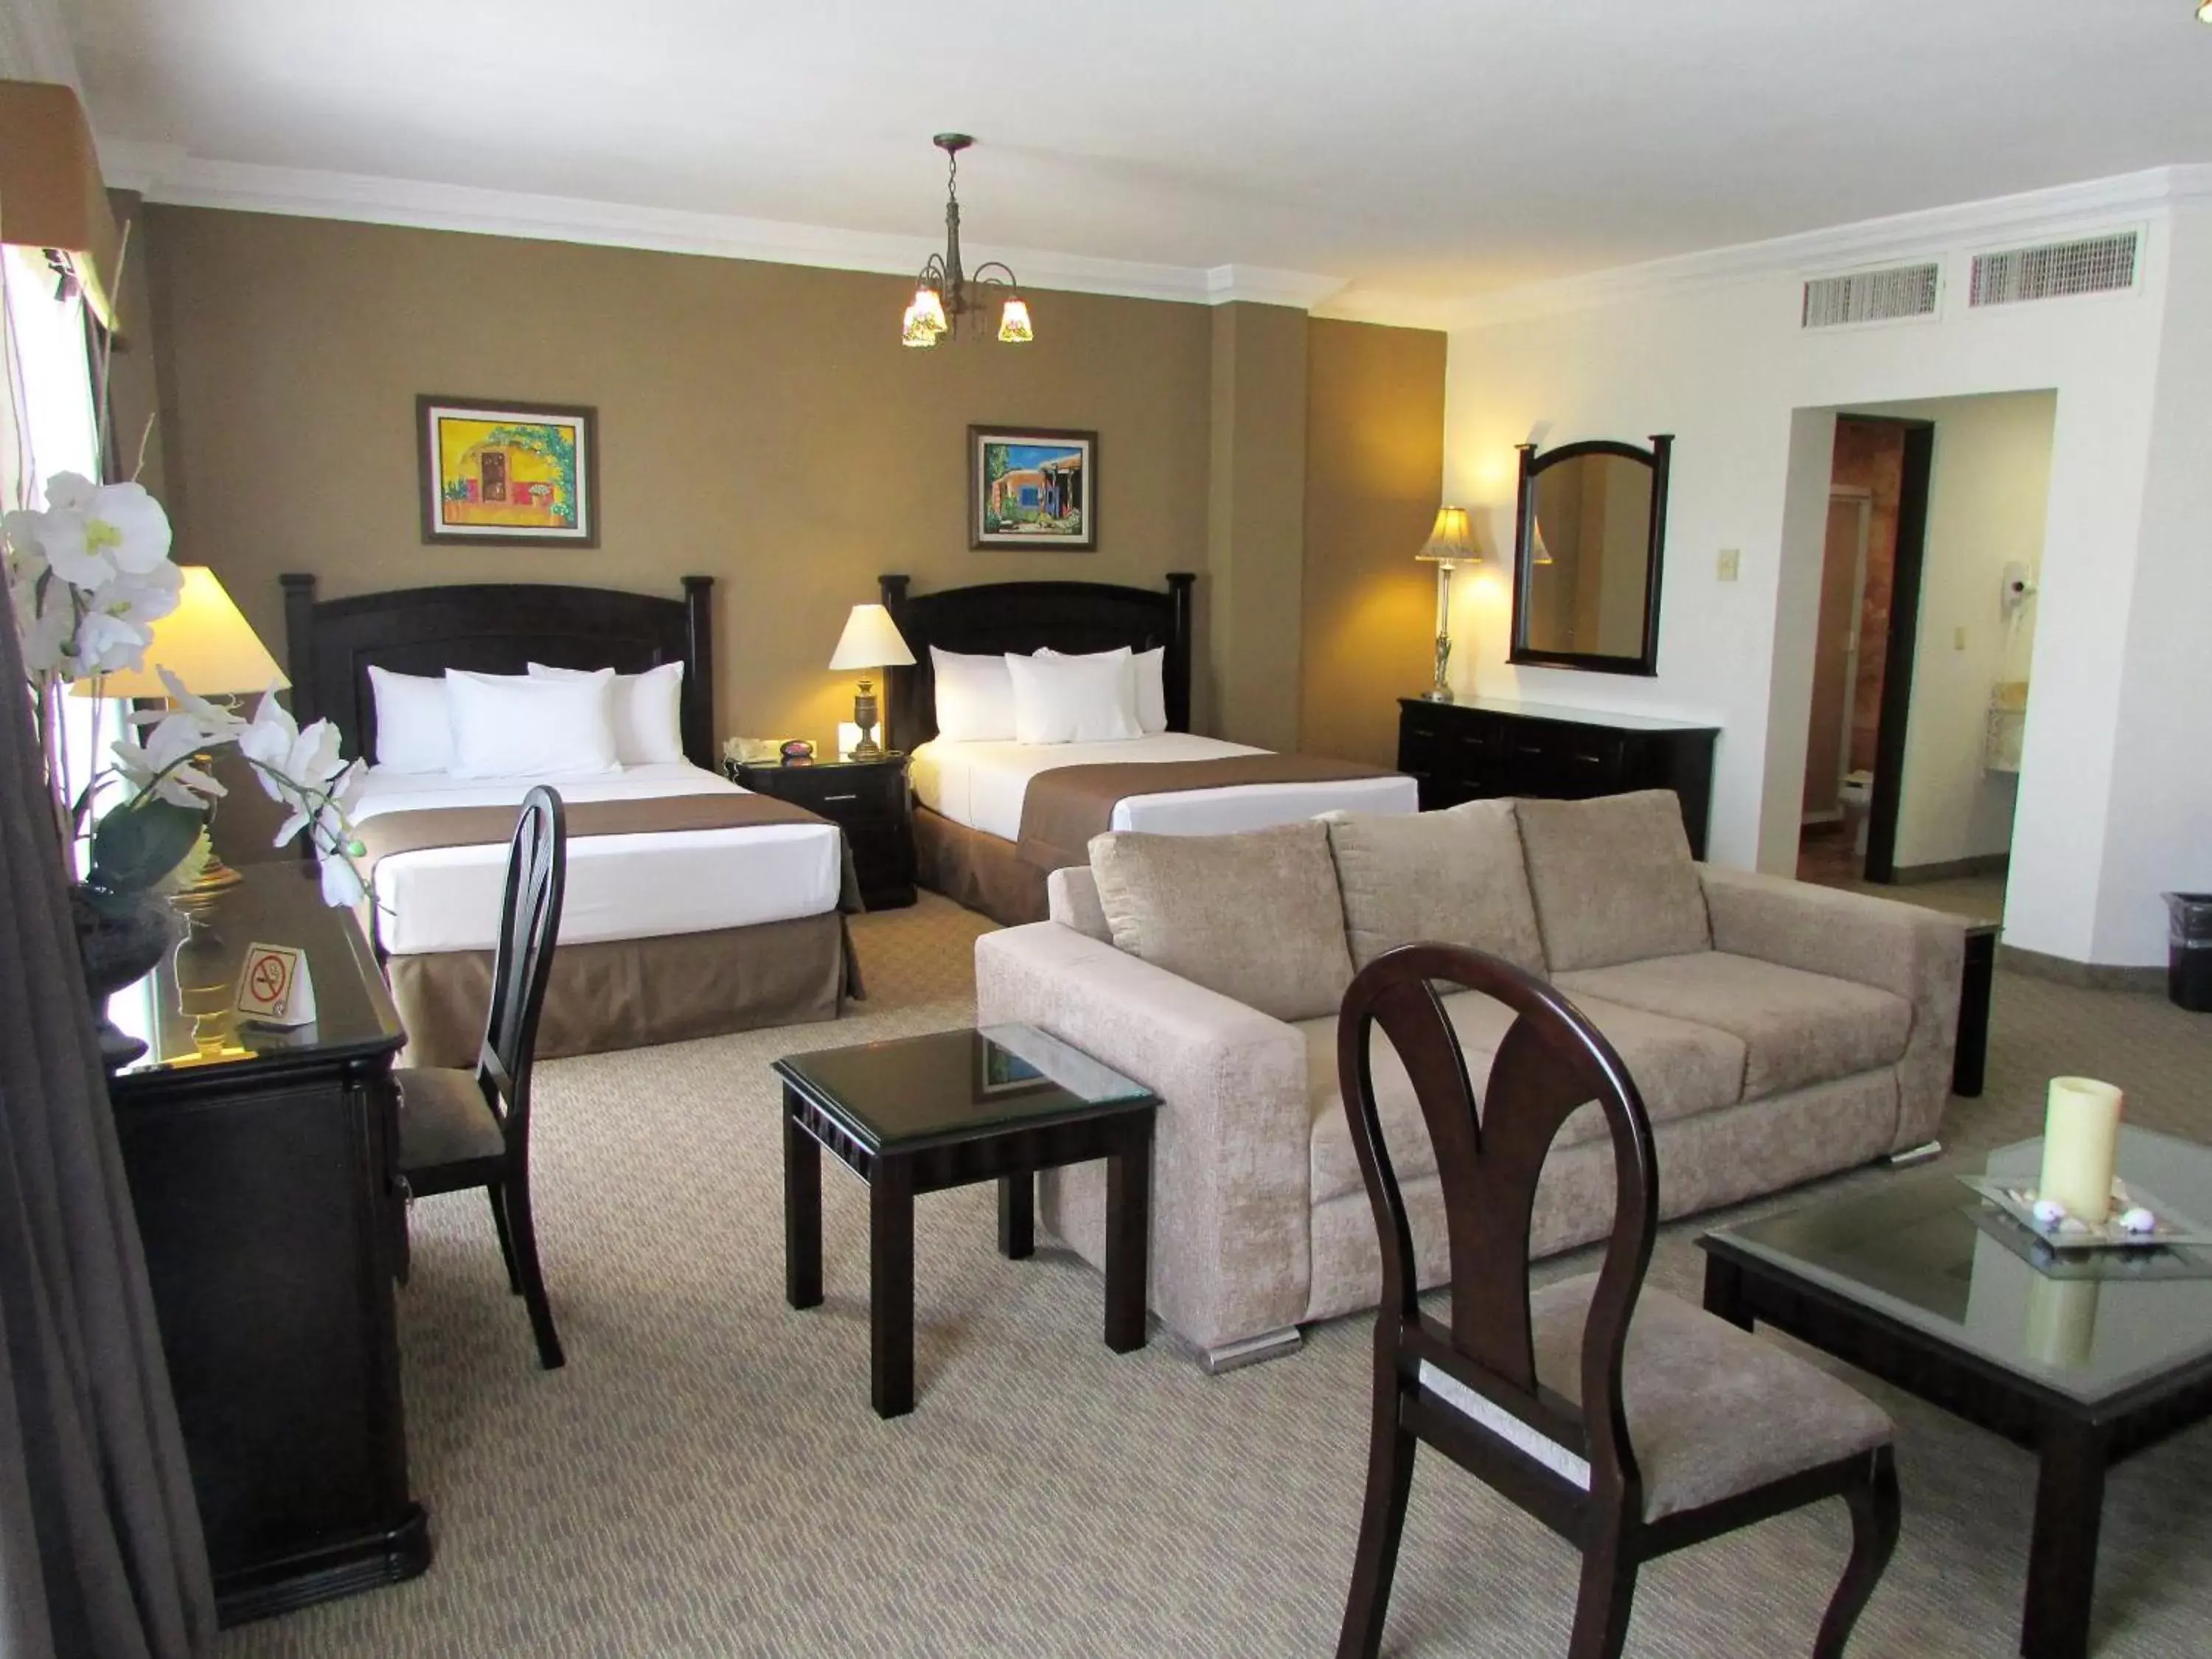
(492, 629)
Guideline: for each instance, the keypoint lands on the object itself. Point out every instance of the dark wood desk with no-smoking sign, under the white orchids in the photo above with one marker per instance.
(264, 1178)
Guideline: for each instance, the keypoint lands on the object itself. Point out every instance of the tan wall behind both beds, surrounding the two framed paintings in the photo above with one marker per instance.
(758, 424)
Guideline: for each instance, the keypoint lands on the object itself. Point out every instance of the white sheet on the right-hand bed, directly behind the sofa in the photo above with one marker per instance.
(983, 784)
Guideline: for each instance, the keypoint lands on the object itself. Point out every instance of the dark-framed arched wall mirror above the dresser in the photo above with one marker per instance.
(1587, 541)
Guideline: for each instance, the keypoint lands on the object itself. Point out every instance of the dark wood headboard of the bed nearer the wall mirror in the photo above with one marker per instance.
(1025, 616)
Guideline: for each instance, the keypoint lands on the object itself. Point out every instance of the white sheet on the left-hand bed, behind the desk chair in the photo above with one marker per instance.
(678, 881)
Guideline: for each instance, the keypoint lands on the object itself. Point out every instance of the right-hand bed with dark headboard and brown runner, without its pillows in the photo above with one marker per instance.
(988, 833)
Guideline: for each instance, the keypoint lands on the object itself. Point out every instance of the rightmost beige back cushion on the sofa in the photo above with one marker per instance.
(1614, 879)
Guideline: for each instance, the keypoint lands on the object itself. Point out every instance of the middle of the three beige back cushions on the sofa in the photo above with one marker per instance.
(1452, 877)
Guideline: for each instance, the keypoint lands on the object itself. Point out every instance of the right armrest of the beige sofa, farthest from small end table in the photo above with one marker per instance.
(1910, 950)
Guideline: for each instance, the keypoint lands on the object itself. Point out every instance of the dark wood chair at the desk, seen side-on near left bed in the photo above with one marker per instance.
(466, 1129)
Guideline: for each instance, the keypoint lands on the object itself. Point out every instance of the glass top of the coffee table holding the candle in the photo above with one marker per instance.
(1917, 1253)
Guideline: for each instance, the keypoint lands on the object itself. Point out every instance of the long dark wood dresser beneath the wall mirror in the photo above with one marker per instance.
(1490, 749)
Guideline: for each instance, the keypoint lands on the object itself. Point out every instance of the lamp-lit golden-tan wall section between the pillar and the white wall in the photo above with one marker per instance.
(1375, 455)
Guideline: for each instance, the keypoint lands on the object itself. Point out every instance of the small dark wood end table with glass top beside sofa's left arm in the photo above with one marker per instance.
(950, 1109)
